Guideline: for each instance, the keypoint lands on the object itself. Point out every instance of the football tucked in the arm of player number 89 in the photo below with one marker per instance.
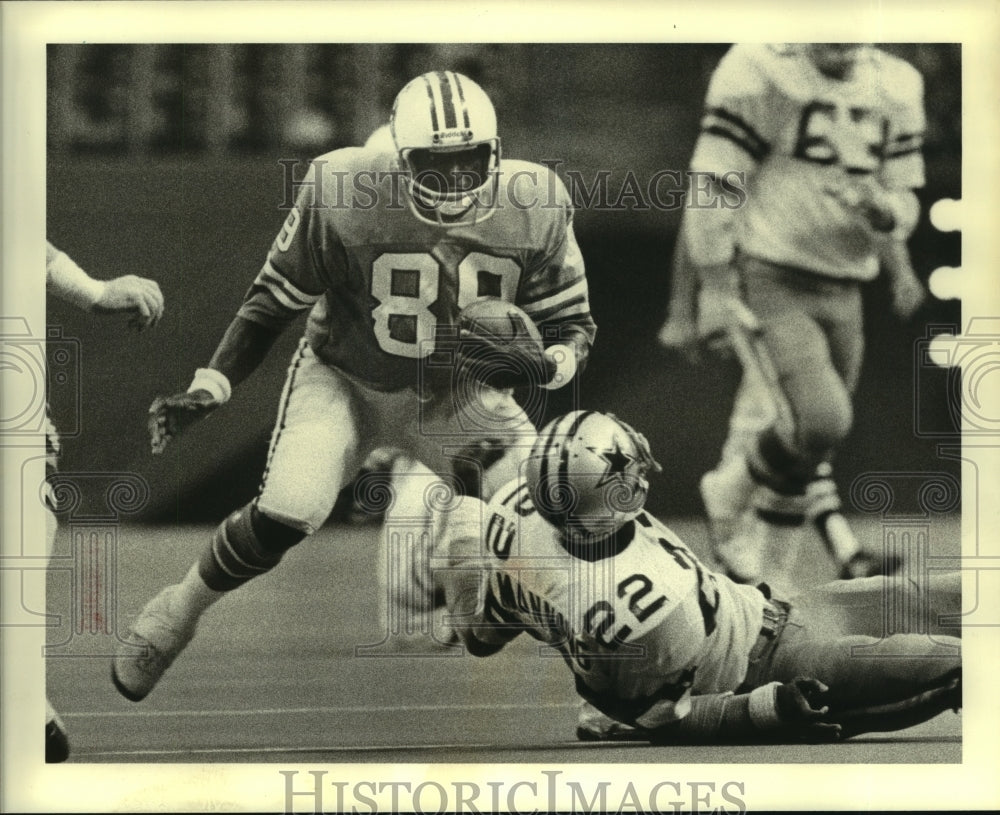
(499, 344)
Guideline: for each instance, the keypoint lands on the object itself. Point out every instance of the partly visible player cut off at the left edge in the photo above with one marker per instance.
(142, 299)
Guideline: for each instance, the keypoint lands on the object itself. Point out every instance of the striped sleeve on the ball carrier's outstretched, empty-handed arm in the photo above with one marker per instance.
(292, 278)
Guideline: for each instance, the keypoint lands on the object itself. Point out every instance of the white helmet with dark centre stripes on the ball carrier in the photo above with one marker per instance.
(445, 131)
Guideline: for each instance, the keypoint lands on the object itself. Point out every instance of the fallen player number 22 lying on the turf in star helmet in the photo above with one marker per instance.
(663, 645)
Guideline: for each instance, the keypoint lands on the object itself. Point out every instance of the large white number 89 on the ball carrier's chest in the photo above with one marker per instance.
(407, 285)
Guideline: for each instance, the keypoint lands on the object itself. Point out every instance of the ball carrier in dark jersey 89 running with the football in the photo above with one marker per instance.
(384, 250)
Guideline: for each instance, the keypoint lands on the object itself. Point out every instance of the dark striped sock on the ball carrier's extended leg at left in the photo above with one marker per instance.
(246, 544)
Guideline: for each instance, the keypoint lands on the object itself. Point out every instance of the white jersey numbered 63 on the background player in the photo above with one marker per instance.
(794, 132)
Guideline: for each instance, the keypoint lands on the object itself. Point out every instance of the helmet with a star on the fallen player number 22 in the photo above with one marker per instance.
(587, 473)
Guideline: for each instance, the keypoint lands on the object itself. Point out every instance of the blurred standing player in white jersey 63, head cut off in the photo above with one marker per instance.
(827, 139)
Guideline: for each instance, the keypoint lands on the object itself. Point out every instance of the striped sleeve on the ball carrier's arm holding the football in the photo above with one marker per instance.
(555, 294)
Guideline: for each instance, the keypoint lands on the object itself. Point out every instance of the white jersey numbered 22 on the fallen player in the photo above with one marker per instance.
(640, 618)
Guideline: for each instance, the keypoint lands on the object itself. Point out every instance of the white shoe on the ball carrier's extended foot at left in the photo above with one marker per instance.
(151, 645)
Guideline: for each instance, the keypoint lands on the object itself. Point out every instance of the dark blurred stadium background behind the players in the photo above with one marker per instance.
(164, 162)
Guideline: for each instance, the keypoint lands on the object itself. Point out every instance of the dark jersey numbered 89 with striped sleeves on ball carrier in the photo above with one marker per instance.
(382, 284)
